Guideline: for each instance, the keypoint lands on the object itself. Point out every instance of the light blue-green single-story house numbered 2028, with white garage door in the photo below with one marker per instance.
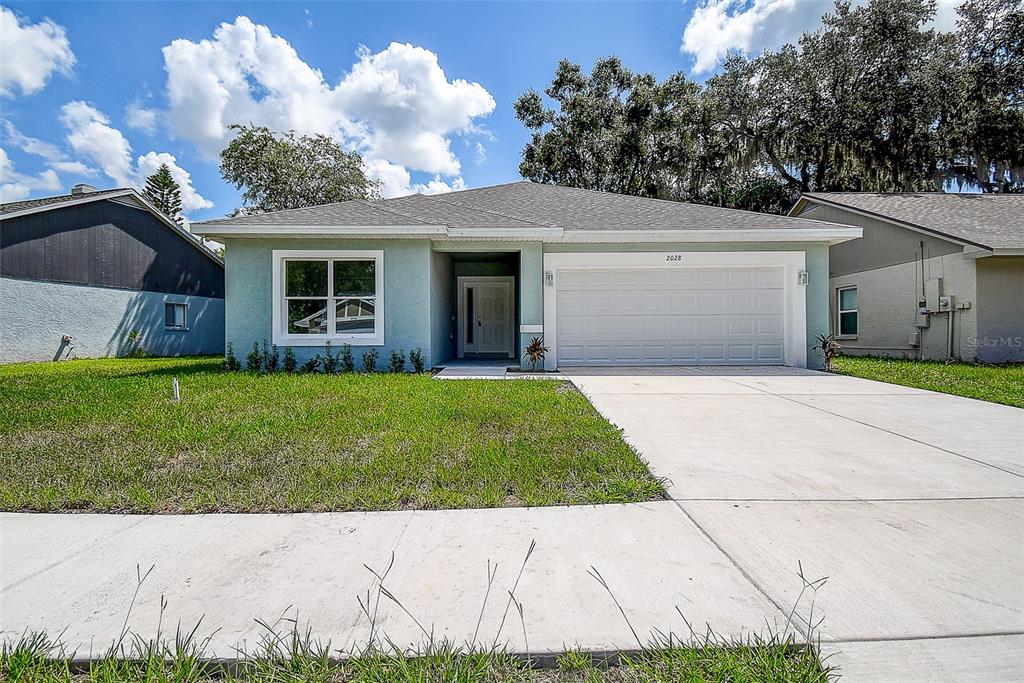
(605, 279)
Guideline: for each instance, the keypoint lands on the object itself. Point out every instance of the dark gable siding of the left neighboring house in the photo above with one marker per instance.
(109, 245)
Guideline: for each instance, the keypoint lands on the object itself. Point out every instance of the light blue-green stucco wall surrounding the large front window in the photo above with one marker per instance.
(248, 272)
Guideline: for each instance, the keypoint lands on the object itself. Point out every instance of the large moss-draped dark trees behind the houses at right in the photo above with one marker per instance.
(874, 101)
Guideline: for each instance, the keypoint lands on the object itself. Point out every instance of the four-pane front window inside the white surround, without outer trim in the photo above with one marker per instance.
(334, 297)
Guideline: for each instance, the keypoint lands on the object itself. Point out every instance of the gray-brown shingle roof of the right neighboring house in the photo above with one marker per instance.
(994, 222)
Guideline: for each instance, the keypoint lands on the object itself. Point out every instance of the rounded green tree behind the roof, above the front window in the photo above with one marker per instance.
(288, 172)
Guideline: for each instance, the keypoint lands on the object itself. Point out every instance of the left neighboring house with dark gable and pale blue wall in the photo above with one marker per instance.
(97, 274)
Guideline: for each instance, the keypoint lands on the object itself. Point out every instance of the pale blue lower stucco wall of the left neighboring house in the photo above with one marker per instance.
(36, 315)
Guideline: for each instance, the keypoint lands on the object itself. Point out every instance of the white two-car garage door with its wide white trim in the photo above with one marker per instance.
(674, 310)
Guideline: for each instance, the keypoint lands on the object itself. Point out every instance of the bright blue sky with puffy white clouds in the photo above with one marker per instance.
(103, 93)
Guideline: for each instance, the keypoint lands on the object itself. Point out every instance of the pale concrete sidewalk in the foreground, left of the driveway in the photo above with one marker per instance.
(77, 573)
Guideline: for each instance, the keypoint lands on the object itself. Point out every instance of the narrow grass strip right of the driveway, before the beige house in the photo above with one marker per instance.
(999, 385)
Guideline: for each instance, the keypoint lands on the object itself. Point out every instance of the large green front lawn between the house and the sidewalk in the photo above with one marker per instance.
(106, 436)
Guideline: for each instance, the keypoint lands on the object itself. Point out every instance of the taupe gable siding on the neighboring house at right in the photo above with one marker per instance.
(883, 244)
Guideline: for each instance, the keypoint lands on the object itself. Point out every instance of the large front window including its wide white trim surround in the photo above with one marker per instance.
(333, 296)
